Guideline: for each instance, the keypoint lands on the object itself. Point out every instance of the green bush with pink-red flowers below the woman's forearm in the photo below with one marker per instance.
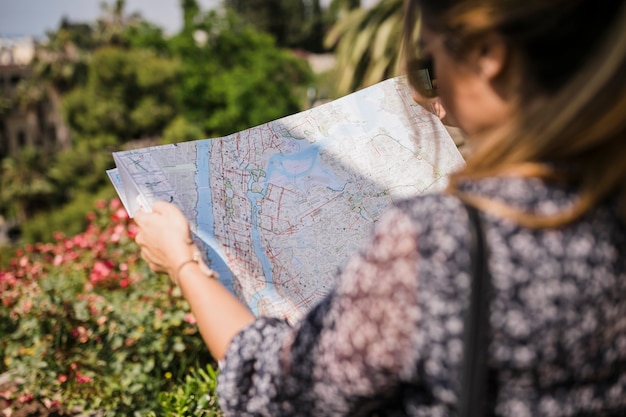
(84, 322)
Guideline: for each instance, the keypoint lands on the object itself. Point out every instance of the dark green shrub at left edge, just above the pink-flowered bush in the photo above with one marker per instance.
(56, 195)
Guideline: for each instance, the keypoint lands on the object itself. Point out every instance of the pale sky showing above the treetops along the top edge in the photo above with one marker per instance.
(20, 18)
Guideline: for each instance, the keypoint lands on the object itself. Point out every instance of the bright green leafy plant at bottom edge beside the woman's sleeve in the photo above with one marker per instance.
(194, 397)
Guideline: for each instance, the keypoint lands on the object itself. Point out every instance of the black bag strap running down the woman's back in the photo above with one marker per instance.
(473, 398)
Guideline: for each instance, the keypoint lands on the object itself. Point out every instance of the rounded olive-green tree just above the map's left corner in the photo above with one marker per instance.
(128, 95)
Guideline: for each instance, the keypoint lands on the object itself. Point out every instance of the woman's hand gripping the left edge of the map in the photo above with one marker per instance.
(164, 237)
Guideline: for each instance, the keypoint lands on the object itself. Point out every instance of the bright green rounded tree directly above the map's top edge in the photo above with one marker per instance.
(234, 77)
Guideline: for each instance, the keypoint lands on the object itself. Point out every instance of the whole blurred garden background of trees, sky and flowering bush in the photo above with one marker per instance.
(86, 329)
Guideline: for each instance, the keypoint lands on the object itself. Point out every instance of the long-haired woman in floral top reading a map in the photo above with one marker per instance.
(539, 88)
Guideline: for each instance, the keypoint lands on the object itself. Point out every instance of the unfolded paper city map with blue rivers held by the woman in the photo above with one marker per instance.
(280, 207)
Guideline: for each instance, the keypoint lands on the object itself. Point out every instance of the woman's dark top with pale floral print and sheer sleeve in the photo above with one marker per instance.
(387, 340)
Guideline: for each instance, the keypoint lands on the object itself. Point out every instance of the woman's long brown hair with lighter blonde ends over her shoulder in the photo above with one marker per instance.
(570, 57)
